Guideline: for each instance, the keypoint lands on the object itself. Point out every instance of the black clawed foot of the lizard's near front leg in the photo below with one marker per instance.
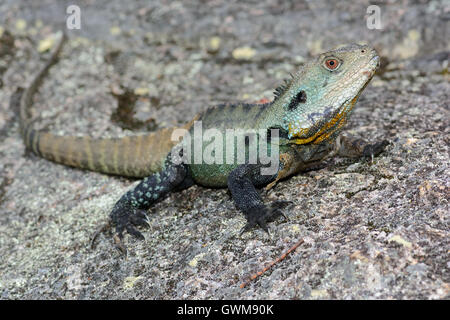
(260, 216)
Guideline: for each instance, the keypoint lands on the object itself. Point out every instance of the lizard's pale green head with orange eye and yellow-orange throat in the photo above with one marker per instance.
(317, 101)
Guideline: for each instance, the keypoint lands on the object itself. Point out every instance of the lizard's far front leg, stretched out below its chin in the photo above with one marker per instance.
(352, 147)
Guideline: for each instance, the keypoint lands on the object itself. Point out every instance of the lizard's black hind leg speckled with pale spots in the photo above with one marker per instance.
(129, 211)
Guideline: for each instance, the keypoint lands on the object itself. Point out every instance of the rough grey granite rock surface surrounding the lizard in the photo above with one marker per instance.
(372, 229)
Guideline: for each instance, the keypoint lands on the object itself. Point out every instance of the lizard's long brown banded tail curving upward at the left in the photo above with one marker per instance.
(134, 156)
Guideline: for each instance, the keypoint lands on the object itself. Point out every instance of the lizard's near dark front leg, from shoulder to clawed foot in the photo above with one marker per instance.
(241, 183)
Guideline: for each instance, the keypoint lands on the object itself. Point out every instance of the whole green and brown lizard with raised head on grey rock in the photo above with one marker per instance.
(307, 115)
